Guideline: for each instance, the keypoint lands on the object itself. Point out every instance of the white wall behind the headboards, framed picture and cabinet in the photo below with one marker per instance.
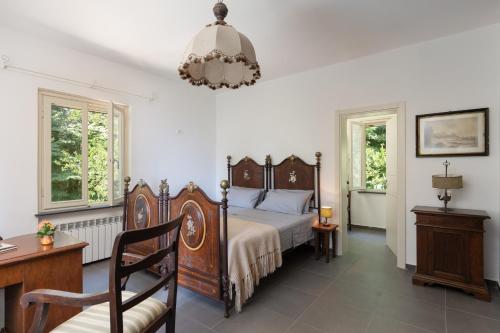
(296, 114)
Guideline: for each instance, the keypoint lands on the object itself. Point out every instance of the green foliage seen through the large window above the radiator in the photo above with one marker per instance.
(66, 148)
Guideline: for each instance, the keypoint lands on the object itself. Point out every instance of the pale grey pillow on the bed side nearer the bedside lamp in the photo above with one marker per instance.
(282, 201)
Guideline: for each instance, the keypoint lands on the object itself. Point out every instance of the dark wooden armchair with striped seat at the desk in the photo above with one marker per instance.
(123, 311)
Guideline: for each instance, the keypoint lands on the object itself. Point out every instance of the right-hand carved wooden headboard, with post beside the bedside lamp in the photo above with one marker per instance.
(295, 174)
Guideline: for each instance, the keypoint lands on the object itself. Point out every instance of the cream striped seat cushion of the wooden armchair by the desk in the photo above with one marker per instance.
(95, 319)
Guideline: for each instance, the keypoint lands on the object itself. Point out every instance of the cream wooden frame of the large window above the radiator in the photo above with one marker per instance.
(45, 100)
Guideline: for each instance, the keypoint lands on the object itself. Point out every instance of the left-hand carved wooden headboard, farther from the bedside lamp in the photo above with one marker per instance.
(246, 173)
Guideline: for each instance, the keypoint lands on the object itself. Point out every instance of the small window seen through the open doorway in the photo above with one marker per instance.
(368, 156)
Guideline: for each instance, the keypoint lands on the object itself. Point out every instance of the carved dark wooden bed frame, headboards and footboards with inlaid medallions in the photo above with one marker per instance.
(203, 255)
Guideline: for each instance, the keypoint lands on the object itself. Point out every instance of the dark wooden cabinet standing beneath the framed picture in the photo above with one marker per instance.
(450, 249)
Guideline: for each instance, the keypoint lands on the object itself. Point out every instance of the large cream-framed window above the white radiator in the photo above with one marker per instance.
(82, 151)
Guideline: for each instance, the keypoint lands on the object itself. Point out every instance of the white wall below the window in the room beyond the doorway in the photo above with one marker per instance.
(368, 209)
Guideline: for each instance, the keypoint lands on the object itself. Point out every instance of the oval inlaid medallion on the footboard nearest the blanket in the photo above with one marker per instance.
(193, 228)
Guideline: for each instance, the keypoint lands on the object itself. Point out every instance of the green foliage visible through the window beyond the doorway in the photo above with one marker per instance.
(376, 177)
